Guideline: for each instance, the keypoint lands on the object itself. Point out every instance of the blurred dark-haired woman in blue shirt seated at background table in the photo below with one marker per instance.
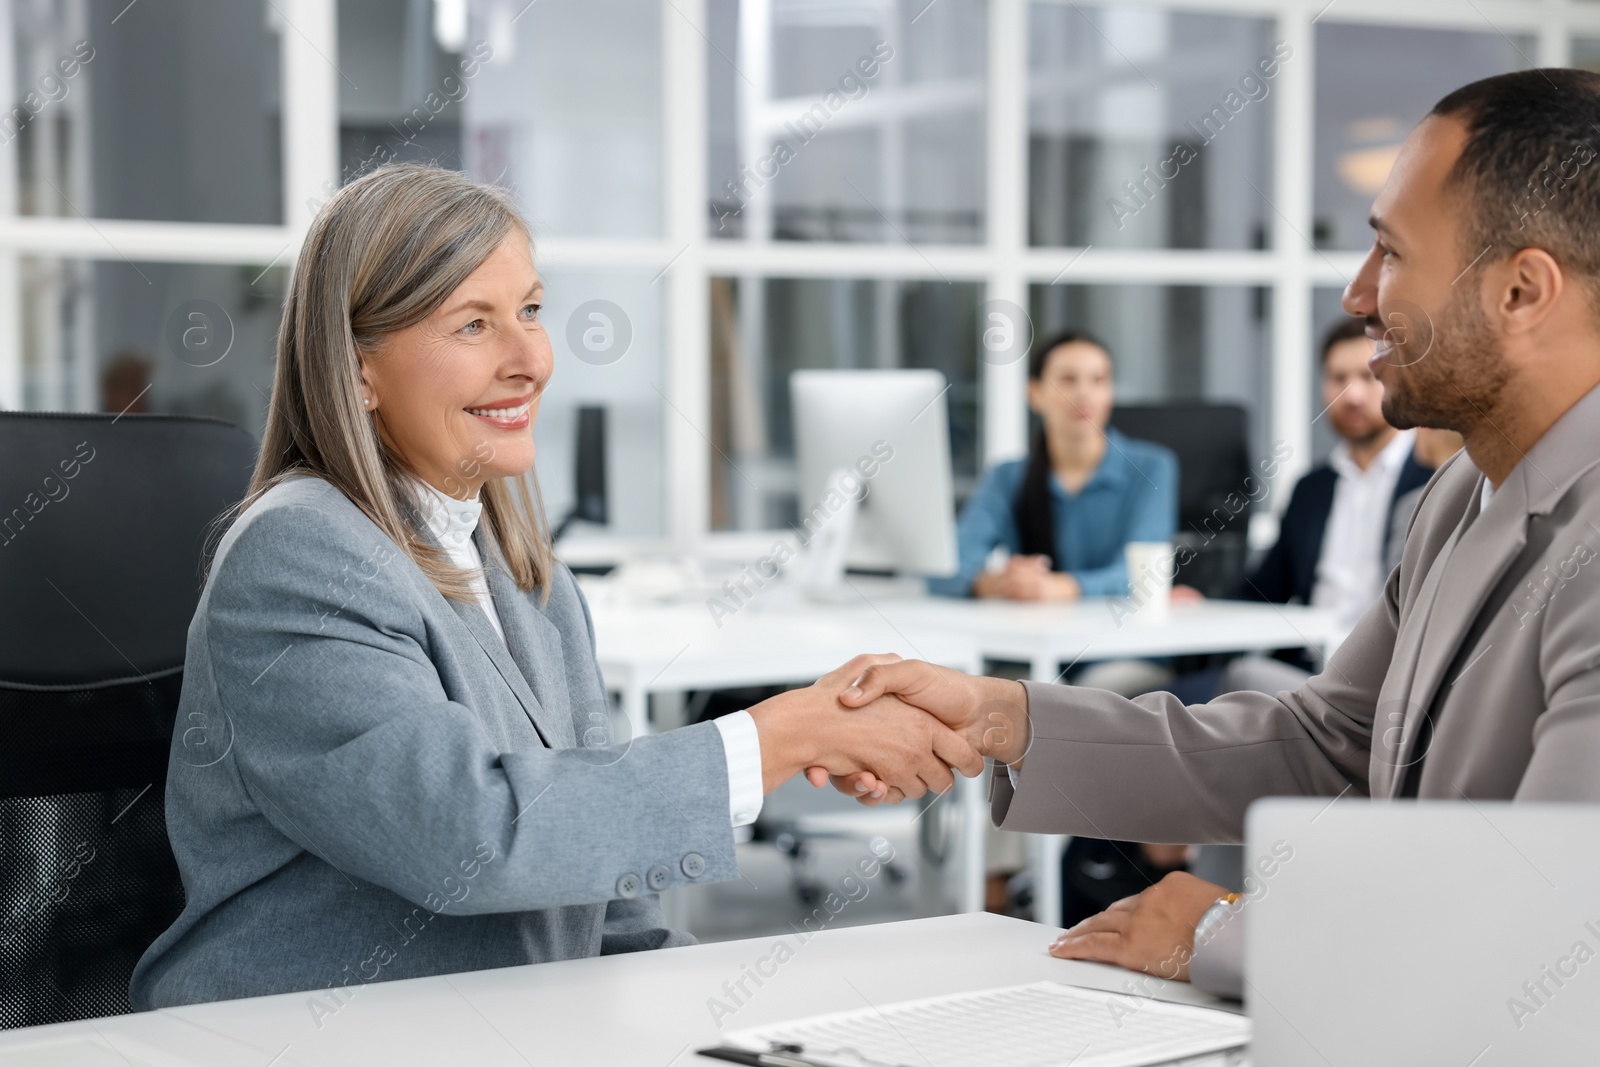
(1082, 495)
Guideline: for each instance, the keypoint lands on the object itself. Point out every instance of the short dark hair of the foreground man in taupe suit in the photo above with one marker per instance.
(1530, 172)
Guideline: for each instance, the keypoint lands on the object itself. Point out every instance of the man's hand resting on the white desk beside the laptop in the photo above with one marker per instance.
(1153, 932)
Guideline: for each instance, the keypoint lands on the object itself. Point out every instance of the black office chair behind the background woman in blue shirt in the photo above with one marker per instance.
(1214, 458)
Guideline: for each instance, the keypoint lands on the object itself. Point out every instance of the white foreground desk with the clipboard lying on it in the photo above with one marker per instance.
(638, 1010)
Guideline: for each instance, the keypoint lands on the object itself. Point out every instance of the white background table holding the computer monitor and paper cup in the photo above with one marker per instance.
(780, 637)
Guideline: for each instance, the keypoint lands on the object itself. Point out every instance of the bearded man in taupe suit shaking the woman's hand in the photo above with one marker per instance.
(1478, 674)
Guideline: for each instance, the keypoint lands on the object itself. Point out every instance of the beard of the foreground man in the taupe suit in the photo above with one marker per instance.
(1458, 378)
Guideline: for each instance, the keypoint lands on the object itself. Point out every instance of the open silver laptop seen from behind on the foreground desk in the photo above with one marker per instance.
(1462, 933)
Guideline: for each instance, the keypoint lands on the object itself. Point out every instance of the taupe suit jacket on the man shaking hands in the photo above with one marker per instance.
(1490, 629)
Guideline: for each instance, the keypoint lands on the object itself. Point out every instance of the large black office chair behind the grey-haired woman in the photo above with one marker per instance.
(103, 526)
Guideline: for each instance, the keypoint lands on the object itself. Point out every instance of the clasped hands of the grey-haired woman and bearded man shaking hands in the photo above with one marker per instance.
(886, 729)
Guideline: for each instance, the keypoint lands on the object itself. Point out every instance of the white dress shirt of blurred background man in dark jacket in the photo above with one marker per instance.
(1351, 569)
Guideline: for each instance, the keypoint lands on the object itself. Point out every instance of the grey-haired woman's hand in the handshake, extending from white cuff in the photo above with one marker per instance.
(898, 746)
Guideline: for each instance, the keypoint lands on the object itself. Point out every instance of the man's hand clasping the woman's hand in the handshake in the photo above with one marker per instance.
(990, 714)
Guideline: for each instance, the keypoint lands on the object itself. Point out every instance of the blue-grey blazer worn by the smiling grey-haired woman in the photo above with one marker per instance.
(366, 786)
